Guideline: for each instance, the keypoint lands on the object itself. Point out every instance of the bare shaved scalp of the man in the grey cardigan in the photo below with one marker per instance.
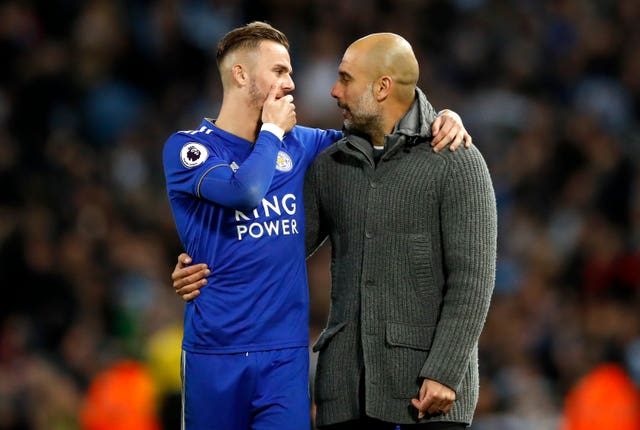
(387, 54)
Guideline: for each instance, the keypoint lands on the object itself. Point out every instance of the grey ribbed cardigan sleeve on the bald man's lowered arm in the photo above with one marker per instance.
(469, 229)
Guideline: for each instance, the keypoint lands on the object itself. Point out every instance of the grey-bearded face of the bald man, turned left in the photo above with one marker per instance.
(354, 92)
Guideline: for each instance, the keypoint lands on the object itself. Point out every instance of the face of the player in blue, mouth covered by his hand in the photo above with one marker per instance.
(271, 65)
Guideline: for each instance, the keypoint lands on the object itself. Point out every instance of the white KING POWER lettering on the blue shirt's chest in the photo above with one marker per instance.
(275, 216)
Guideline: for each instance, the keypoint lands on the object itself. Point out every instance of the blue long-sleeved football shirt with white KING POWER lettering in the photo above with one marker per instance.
(256, 297)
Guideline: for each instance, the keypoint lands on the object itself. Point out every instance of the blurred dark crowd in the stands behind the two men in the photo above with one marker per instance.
(90, 90)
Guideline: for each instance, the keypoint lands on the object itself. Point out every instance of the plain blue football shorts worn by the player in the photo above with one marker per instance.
(265, 390)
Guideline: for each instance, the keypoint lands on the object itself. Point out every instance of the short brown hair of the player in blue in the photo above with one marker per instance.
(249, 36)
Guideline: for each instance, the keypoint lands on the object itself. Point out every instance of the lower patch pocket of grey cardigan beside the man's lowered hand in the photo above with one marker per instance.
(407, 349)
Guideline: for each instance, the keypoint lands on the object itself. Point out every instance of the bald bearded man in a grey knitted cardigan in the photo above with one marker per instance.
(413, 242)
